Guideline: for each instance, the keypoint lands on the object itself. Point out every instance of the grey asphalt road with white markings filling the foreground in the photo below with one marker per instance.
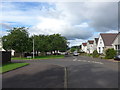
(82, 72)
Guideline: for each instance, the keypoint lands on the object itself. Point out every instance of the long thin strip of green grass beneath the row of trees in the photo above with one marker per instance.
(40, 57)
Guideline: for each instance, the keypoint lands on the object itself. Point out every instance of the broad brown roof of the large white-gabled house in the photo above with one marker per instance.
(108, 38)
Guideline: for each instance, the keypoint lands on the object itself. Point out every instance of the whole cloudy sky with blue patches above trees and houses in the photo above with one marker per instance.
(77, 21)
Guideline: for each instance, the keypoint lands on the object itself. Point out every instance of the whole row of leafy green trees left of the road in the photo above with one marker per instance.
(18, 39)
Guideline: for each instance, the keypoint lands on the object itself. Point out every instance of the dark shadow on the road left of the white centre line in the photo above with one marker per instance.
(51, 78)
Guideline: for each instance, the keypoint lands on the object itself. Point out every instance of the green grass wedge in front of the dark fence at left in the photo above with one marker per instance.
(11, 66)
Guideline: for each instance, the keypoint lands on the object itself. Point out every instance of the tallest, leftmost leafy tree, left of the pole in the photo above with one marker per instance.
(17, 39)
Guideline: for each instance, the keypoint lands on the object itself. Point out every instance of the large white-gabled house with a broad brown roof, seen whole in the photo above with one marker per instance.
(105, 42)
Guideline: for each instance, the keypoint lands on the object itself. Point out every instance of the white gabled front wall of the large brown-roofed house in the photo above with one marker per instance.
(100, 45)
